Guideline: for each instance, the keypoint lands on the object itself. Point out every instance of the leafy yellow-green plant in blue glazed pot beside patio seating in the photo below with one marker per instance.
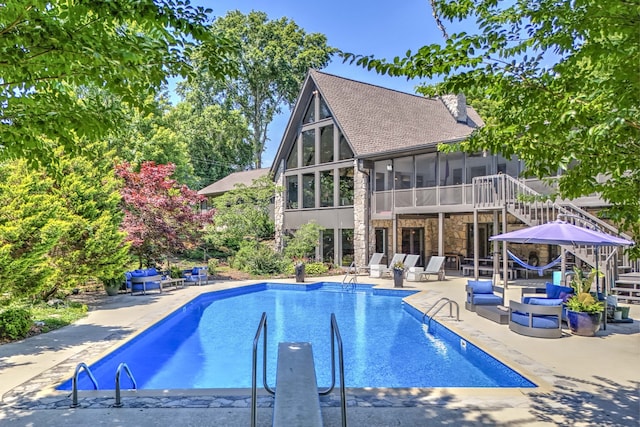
(584, 310)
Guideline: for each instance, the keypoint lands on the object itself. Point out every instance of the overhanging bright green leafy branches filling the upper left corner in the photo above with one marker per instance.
(51, 52)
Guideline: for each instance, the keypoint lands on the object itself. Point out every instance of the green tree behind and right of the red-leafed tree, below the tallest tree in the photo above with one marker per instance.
(216, 140)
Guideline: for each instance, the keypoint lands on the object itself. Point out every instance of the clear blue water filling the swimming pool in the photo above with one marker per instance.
(208, 342)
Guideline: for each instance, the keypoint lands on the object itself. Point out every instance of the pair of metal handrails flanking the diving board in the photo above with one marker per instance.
(335, 338)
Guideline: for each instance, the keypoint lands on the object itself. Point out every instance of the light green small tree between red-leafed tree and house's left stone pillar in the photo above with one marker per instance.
(242, 214)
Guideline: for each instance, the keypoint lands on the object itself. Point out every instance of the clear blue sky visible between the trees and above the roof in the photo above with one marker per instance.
(384, 29)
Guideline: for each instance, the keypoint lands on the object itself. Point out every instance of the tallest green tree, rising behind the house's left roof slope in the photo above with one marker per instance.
(273, 58)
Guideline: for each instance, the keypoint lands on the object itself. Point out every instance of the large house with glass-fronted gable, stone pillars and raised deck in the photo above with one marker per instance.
(362, 161)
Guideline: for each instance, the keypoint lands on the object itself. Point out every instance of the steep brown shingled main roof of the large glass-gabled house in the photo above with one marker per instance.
(378, 120)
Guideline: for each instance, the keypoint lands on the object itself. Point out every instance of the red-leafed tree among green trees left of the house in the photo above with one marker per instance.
(161, 216)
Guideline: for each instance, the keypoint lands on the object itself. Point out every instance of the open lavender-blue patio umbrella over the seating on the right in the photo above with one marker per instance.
(564, 233)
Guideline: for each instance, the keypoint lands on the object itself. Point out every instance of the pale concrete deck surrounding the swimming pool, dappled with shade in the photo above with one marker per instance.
(583, 380)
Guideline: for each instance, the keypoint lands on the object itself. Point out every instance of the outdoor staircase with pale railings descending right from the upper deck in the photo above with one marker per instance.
(532, 208)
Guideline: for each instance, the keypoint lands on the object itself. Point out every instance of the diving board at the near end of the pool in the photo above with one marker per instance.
(297, 402)
